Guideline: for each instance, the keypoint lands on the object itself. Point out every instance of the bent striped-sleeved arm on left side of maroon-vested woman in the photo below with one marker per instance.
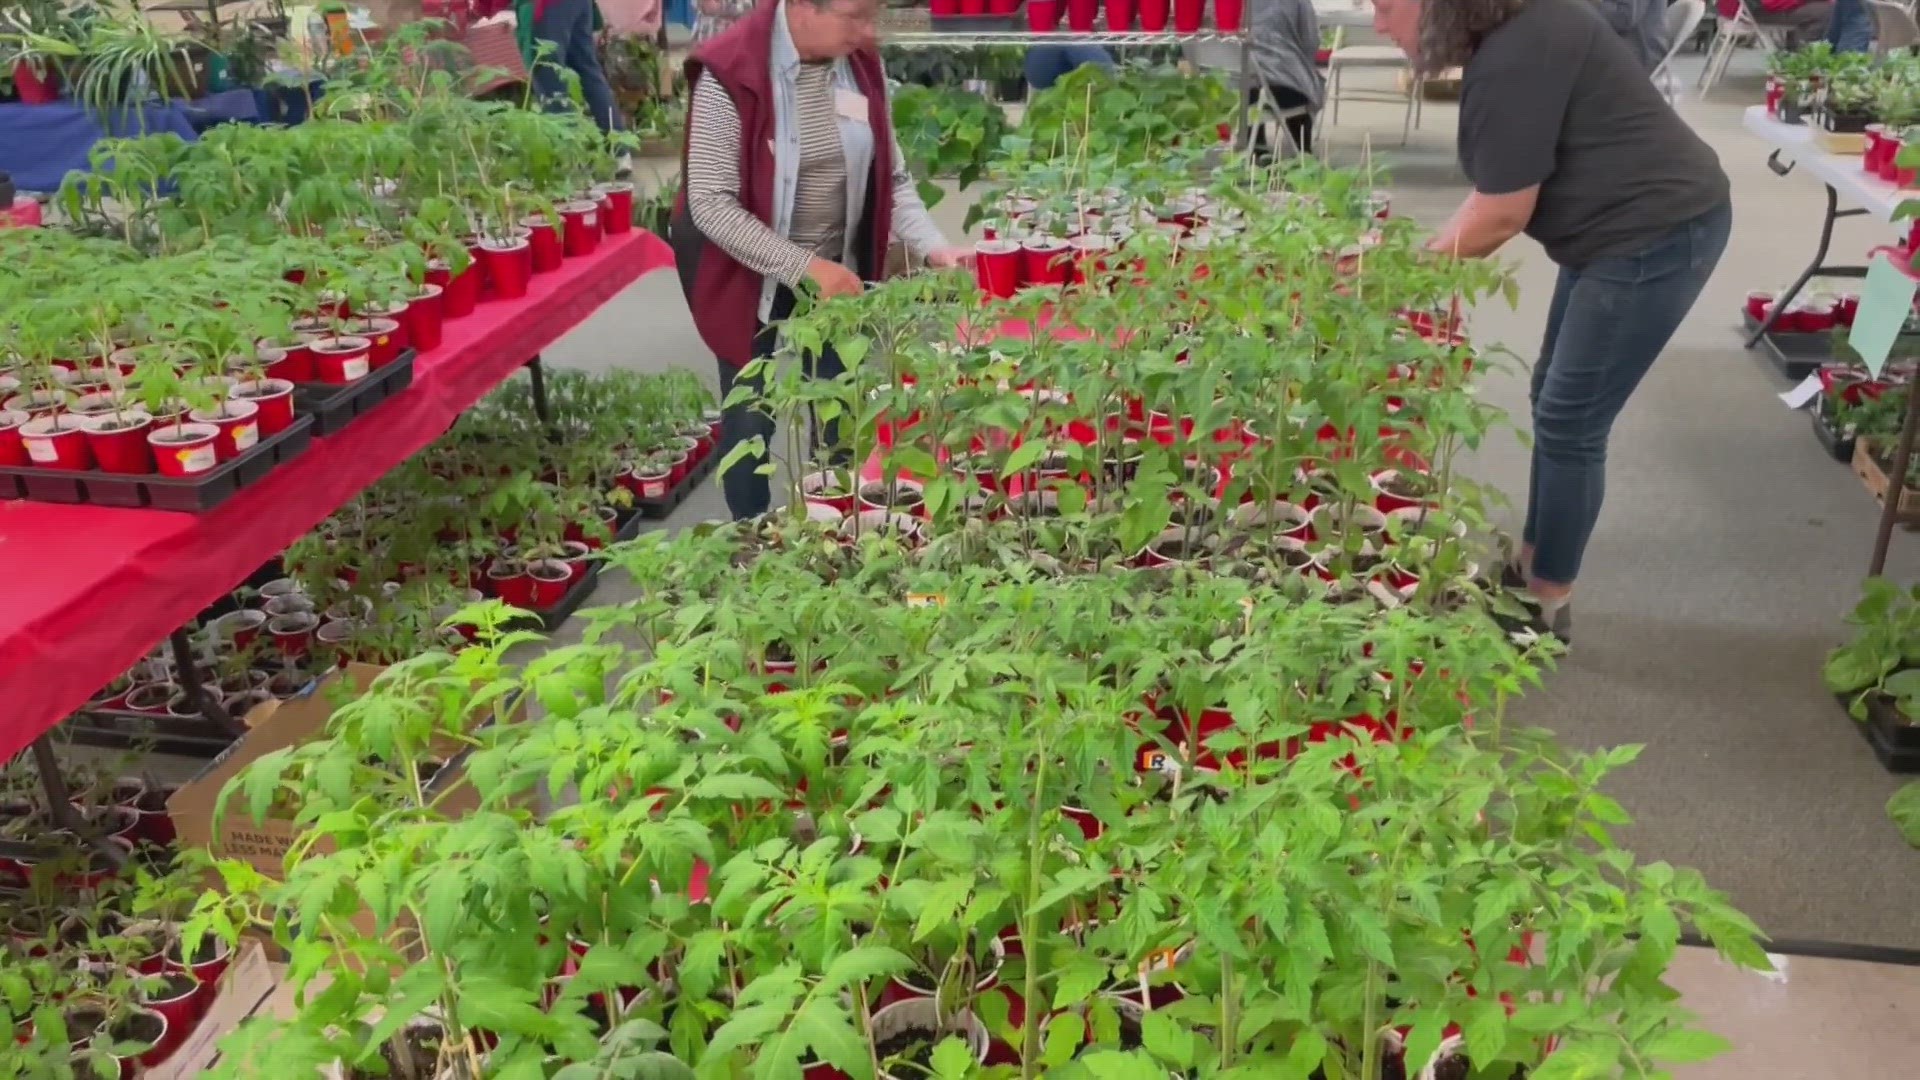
(713, 191)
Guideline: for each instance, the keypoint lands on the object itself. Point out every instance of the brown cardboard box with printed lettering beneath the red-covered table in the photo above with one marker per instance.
(277, 725)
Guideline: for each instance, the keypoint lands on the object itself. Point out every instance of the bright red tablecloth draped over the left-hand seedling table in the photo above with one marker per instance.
(89, 591)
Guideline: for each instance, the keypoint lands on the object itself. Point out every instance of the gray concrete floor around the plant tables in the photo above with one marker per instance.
(1717, 581)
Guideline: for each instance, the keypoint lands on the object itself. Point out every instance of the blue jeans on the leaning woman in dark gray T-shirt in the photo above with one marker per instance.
(1606, 328)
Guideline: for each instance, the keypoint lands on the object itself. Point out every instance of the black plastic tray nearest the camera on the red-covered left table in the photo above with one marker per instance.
(189, 495)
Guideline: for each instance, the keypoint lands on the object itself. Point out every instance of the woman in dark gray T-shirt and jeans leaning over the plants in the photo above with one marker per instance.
(1566, 139)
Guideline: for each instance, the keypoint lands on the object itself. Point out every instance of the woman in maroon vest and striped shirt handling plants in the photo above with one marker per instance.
(792, 174)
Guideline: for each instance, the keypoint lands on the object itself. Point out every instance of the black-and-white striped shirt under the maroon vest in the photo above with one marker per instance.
(819, 226)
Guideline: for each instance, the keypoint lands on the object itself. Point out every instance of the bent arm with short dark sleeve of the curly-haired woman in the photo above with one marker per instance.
(1512, 112)
